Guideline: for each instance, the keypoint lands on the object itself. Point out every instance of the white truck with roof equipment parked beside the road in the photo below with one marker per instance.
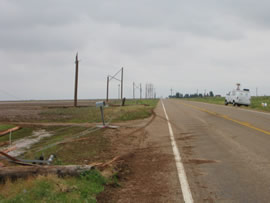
(238, 97)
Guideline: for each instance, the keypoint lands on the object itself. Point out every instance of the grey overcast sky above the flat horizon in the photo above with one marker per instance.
(184, 45)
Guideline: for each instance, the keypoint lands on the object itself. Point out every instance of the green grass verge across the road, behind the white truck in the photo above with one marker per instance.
(256, 102)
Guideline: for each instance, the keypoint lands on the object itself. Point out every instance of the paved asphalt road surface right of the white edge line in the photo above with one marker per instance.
(225, 151)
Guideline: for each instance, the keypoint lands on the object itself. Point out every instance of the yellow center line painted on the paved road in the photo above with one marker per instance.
(230, 119)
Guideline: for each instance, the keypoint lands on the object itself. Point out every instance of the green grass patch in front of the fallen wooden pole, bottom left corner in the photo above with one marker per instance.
(53, 189)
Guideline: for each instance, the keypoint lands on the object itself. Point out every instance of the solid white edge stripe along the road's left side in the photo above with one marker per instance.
(179, 165)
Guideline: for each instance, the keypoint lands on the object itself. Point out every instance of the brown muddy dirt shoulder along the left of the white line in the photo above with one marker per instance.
(146, 172)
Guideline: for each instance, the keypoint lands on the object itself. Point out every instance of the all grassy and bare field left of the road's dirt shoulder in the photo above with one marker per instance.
(74, 140)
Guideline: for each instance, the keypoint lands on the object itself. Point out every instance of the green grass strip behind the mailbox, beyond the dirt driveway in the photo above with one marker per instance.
(134, 109)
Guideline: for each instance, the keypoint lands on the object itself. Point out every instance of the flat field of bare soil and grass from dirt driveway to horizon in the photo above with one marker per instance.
(65, 112)
